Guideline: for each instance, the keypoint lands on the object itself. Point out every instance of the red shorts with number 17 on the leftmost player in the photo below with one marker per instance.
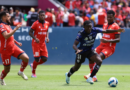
(6, 54)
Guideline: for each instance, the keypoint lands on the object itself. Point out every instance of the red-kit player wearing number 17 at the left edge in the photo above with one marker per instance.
(8, 48)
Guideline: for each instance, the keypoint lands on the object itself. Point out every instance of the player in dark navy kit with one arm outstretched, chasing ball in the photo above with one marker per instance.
(86, 38)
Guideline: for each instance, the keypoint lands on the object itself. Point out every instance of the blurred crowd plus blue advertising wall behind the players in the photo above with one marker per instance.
(66, 18)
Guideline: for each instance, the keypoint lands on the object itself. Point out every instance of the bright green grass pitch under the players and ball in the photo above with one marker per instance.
(52, 77)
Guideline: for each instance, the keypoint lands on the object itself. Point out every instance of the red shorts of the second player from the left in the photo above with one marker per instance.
(40, 51)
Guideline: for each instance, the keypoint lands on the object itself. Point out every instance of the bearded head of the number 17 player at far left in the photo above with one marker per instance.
(5, 17)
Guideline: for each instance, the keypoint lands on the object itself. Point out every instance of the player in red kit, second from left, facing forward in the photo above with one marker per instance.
(40, 29)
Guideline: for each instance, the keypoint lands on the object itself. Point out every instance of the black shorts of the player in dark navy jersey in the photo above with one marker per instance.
(80, 58)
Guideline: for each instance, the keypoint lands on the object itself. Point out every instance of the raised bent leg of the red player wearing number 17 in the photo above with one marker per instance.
(20, 54)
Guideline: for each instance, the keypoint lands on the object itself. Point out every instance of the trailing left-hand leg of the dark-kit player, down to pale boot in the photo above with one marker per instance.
(78, 61)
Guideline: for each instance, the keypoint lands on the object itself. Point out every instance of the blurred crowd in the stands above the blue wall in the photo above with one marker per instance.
(59, 12)
